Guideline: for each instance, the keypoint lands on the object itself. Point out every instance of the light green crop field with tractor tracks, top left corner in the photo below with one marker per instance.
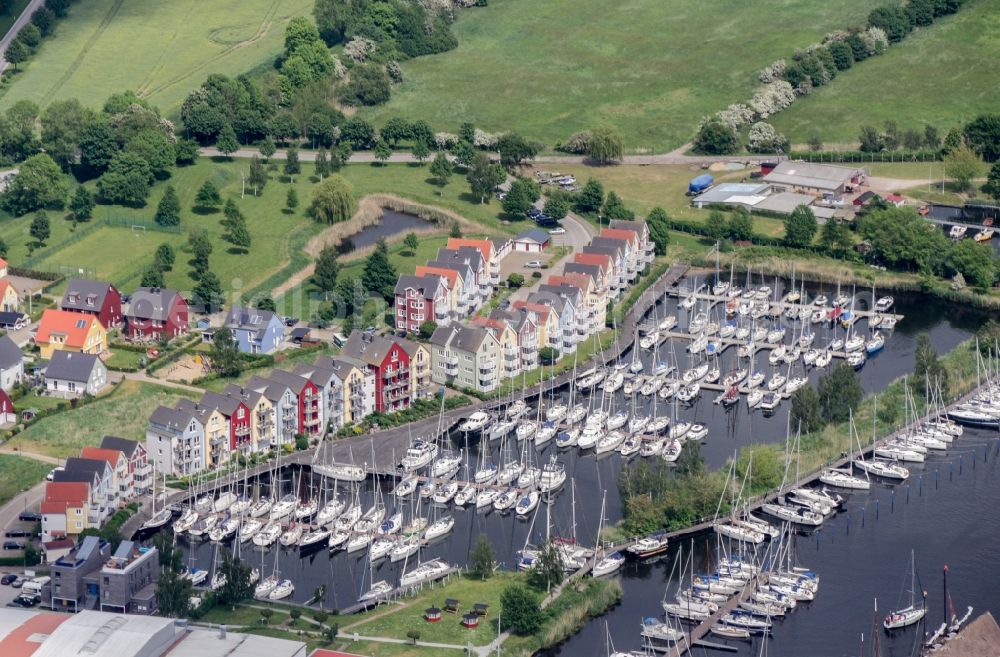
(162, 50)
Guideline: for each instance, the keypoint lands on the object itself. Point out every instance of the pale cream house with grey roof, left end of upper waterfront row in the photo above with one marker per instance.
(466, 357)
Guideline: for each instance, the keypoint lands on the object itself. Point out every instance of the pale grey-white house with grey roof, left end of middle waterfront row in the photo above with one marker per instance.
(175, 440)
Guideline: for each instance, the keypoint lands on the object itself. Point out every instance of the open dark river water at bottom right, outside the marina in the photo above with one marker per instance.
(945, 513)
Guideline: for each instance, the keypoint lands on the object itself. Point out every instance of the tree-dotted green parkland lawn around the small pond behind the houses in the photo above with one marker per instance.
(121, 254)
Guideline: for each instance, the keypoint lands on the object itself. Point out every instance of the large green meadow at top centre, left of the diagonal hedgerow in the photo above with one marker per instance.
(652, 68)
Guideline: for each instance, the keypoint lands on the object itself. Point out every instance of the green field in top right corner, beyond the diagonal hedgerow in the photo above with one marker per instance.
(942, 75)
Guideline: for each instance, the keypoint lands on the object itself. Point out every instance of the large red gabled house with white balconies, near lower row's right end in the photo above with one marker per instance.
(390, 363)
